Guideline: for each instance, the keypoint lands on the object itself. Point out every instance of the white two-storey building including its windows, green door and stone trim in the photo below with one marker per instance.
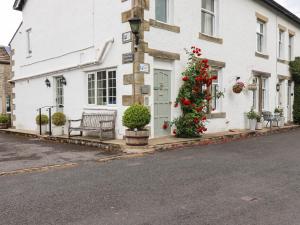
(83, 42)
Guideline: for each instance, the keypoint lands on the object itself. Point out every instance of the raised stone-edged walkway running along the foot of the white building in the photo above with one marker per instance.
(156, 144)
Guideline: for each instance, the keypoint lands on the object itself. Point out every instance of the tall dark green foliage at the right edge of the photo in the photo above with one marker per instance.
(295, 71)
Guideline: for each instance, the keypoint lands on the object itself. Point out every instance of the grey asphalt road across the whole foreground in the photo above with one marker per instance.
(250, 182)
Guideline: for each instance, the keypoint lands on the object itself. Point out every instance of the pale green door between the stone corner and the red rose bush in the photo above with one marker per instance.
(162, 104)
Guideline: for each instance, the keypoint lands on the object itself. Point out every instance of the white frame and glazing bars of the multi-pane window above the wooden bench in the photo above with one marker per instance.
(95, 88)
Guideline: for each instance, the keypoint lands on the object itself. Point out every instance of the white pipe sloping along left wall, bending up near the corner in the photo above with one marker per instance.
(98, 61)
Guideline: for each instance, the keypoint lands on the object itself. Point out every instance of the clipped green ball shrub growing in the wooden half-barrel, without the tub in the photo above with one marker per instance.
(136, 117)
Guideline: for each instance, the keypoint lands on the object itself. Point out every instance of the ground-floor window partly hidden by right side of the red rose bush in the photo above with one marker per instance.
(216, 90)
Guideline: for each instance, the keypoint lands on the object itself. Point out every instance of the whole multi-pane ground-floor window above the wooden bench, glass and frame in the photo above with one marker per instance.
(102, 89)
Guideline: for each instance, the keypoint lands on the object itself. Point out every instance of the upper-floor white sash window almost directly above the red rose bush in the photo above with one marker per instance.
(208, 17)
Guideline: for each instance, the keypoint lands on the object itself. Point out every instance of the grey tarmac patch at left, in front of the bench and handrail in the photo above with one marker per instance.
(17, 152)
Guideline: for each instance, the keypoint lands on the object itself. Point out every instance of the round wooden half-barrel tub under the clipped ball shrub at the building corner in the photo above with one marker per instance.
(137, 138)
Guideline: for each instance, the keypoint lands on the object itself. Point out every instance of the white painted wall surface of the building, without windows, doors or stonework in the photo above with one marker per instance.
(66, 35)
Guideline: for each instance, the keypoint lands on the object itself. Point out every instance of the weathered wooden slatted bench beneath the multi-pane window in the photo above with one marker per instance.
(103, 122)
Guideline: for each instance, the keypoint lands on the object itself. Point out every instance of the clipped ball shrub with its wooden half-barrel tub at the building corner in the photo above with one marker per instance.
(135, 118)
